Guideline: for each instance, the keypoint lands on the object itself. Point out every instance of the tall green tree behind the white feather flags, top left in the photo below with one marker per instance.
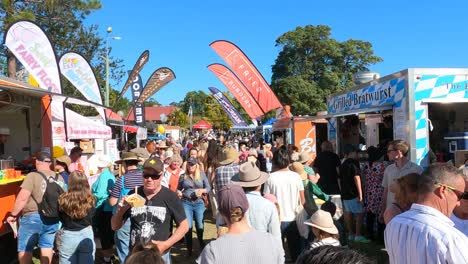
(62, 20)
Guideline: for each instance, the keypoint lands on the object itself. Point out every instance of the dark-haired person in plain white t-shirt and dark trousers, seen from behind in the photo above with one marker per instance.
(287, 186)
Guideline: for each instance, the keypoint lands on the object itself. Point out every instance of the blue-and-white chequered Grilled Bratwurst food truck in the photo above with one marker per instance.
(425, 107)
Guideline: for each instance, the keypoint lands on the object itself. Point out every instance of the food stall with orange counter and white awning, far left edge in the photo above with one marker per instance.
(26, 112)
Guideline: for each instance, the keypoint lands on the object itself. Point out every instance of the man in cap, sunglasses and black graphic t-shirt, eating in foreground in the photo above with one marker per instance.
(151, 222)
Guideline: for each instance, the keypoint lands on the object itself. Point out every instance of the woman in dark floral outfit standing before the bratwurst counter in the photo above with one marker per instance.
(373, 172)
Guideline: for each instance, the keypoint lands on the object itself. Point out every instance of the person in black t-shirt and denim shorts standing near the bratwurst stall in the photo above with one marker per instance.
(352, 193)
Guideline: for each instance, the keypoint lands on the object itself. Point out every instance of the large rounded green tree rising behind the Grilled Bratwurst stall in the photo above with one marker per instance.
(311, 66)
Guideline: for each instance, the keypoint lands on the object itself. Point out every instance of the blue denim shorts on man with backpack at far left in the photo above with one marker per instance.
(34, 232)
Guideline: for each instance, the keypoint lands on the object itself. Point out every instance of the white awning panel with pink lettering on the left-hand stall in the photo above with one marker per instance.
(80, 127)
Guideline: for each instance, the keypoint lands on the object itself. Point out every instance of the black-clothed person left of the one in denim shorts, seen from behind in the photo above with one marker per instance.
(326, 164)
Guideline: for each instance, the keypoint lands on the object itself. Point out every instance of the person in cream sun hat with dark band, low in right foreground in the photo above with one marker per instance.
(324, 230)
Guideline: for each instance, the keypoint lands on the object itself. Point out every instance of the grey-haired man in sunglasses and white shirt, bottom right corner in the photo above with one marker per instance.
(425, 233)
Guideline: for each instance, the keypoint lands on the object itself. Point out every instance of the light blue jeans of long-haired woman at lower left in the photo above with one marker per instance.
(77, 246)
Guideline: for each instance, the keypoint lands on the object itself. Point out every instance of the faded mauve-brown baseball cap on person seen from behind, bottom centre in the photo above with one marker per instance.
(232, 196)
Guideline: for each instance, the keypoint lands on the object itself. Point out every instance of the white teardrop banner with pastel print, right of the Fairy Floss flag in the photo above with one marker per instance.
(78, 71)
